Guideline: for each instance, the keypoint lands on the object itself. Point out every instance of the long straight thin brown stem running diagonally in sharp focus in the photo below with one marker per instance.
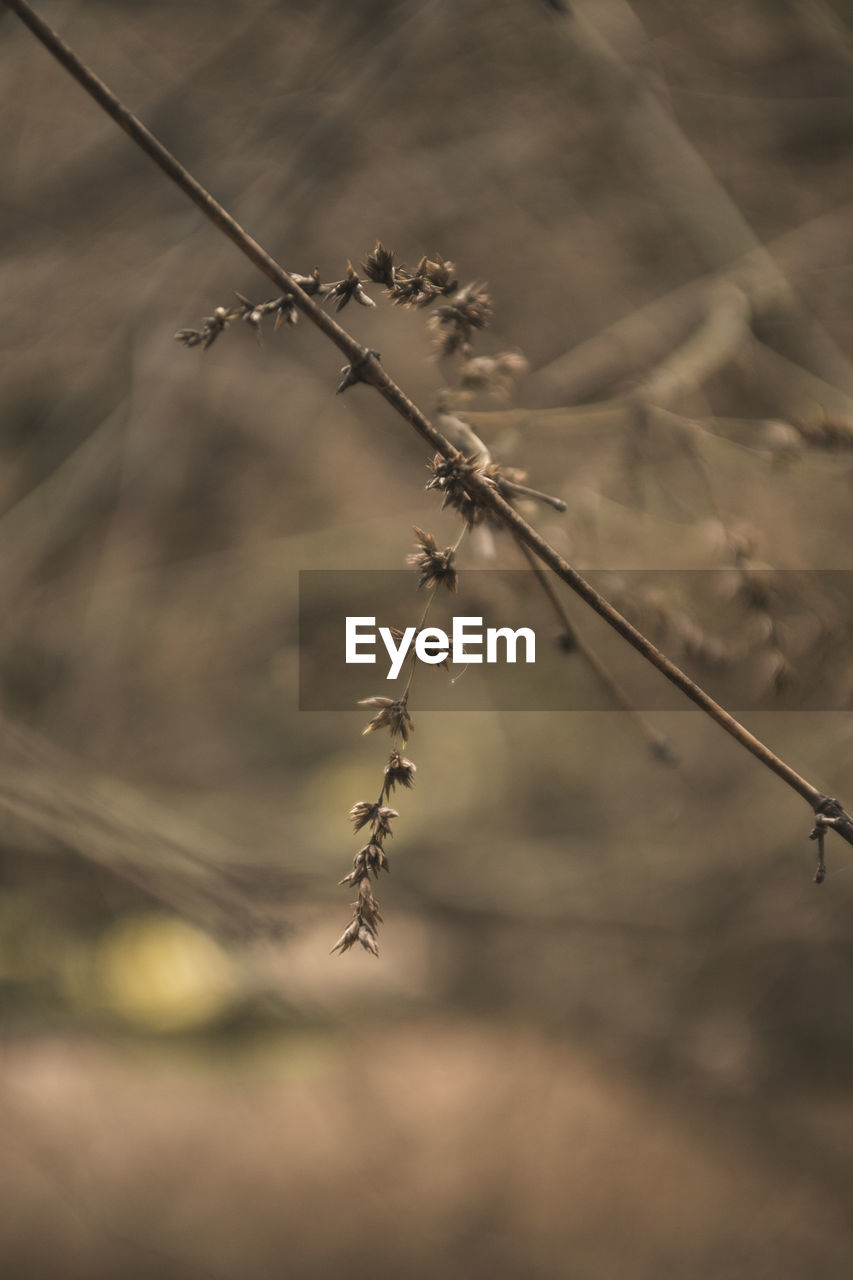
(480, 488)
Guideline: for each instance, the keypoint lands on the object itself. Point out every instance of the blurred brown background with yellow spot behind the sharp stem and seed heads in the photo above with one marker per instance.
(610, 1030)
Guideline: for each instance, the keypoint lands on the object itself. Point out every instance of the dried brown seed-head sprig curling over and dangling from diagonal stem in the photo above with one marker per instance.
(463, 312)
